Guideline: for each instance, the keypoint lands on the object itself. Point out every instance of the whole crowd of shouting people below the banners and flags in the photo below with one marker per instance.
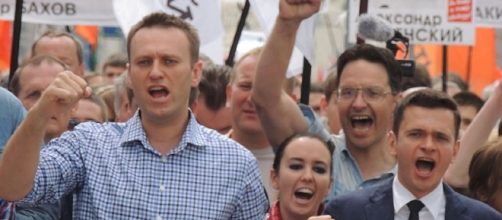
(165, 133)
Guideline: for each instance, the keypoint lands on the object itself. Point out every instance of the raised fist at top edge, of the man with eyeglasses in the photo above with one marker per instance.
(297, 10)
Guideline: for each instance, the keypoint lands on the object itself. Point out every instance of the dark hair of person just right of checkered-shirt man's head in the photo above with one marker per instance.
(213, 85)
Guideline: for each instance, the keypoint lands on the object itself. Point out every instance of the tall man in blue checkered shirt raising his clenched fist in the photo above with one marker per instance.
(161, 164)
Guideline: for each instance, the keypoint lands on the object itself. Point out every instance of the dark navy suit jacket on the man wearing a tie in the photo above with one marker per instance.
(376, 203)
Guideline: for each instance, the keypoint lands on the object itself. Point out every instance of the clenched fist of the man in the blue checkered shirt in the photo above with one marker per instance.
(62, 95)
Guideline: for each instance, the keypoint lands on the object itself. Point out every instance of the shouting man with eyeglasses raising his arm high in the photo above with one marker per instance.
(368, 83)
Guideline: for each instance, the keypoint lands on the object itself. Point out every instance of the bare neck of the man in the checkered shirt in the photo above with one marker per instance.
(164, 135)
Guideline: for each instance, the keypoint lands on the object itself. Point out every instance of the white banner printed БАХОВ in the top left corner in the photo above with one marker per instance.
(62, 12)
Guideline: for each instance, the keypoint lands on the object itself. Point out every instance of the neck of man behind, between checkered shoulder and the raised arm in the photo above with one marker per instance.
(252, 141)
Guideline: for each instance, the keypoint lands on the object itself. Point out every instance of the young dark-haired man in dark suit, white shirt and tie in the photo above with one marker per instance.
(425, 141)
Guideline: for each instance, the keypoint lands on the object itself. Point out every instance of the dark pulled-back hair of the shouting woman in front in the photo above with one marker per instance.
(279, 151)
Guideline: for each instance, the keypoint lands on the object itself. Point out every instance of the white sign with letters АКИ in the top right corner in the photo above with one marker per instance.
(488, 13)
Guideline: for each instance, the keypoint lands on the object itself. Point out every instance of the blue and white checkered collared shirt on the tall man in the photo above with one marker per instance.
(117, 174)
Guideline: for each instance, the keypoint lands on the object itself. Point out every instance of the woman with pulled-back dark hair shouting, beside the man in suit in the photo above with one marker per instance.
(302, 174)
